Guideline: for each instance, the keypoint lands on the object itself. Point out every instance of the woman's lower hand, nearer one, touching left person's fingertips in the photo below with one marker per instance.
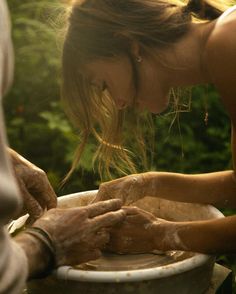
(141, 232)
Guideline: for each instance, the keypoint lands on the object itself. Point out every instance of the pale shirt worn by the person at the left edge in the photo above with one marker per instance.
(13, 261)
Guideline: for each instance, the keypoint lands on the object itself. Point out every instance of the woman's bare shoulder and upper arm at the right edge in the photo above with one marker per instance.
(221, 60)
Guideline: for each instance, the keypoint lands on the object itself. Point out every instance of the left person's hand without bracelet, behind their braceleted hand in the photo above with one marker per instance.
(36, 191)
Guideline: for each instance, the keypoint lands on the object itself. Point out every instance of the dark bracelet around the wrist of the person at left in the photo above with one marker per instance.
(45, 238)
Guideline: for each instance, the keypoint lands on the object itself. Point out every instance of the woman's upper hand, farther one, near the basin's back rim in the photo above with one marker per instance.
(129, 189)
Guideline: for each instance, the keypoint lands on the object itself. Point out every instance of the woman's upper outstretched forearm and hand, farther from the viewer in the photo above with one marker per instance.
(217, 188)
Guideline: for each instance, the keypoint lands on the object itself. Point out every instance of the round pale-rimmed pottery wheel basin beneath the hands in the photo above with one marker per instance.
(169, 272)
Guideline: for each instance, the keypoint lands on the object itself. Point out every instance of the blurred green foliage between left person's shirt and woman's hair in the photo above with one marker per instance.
(36, 125)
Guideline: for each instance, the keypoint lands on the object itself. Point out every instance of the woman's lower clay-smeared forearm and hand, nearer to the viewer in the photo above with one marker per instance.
(142, 232)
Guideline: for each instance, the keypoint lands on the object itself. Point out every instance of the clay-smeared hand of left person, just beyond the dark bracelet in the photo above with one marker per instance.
(79, 234)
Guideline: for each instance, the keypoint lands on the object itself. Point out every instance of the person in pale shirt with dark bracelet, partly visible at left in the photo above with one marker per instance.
(55, 238)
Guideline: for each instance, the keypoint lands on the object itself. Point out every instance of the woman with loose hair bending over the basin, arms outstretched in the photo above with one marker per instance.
(125, 54)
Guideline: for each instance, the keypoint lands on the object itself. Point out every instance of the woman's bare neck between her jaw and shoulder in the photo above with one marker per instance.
(185, 62)
